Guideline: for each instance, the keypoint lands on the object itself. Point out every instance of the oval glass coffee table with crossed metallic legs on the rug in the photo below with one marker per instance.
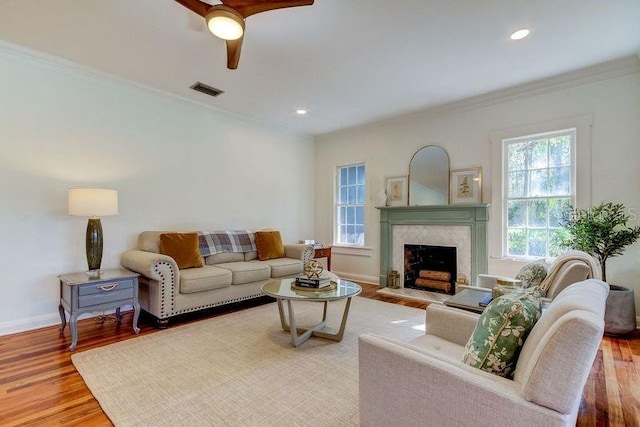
(282, 291)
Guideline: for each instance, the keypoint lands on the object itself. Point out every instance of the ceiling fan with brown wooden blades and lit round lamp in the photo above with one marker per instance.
(226, 20)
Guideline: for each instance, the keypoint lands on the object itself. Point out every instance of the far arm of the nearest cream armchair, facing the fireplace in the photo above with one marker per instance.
(450, 324)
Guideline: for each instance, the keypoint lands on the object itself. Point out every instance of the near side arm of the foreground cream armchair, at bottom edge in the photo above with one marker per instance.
(393, 376)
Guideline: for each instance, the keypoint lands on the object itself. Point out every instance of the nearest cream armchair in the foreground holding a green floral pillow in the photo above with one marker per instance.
(424, 382)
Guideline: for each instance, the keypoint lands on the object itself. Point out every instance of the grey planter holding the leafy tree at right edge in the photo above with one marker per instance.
(620, 314)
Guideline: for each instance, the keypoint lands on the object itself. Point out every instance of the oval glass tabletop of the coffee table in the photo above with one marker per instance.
(282, 289)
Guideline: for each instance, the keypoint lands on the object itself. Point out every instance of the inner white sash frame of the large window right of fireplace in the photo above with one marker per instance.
(505, 182)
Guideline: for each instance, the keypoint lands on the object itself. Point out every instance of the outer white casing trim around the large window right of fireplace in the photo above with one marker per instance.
(497, 225)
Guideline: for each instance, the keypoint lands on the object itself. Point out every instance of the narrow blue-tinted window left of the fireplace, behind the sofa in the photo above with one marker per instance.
(350, 205)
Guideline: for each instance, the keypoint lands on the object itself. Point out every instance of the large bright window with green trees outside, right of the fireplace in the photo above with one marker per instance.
(539, 186)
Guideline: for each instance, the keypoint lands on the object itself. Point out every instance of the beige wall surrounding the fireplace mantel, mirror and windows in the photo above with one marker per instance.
(465, 130)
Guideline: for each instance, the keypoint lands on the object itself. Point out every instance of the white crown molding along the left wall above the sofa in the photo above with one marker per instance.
(63, 66)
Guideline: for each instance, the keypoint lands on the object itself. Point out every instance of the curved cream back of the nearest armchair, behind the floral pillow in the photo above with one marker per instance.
(557, 356)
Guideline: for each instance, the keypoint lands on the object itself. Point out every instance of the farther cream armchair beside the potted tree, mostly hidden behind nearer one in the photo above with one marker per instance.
(571, 267)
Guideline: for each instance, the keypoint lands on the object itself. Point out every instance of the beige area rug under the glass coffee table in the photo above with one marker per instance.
(240, 369)
